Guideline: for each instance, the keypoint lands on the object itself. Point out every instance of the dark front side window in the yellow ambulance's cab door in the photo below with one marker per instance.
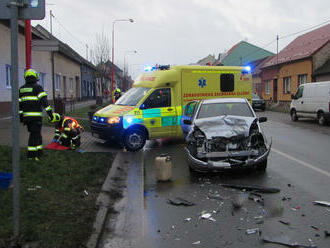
(160, 98)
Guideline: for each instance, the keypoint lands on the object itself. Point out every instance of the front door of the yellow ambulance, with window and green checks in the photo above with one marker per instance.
(159, 114)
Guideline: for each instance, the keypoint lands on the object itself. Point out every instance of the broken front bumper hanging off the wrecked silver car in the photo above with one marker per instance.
(202, 166)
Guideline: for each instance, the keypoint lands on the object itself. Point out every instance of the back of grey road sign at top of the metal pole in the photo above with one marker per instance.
(28, 9)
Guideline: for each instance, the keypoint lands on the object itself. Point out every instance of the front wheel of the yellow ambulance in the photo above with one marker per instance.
(135, 140)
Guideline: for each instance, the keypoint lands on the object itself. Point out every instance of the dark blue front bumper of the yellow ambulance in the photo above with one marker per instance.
(107, 132)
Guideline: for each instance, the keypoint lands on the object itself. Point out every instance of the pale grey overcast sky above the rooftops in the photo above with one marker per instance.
(181, 31)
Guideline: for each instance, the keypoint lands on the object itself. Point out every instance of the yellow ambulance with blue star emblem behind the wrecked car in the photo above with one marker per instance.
(153, 107)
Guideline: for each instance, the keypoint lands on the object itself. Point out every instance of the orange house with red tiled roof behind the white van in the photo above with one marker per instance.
(299, 62)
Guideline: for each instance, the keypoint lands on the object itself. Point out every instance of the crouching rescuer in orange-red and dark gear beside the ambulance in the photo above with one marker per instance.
(67, 131)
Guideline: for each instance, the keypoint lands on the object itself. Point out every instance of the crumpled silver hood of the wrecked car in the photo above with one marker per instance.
(225, 126)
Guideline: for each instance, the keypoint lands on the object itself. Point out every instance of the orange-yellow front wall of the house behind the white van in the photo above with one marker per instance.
(293, 70)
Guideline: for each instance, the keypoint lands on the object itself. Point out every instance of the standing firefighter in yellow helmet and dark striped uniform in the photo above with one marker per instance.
(32, 99)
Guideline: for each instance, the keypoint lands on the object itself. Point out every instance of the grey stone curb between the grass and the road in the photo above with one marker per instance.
(103, 201)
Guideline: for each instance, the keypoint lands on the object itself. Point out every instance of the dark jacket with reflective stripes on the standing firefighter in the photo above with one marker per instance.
(32, 98)
